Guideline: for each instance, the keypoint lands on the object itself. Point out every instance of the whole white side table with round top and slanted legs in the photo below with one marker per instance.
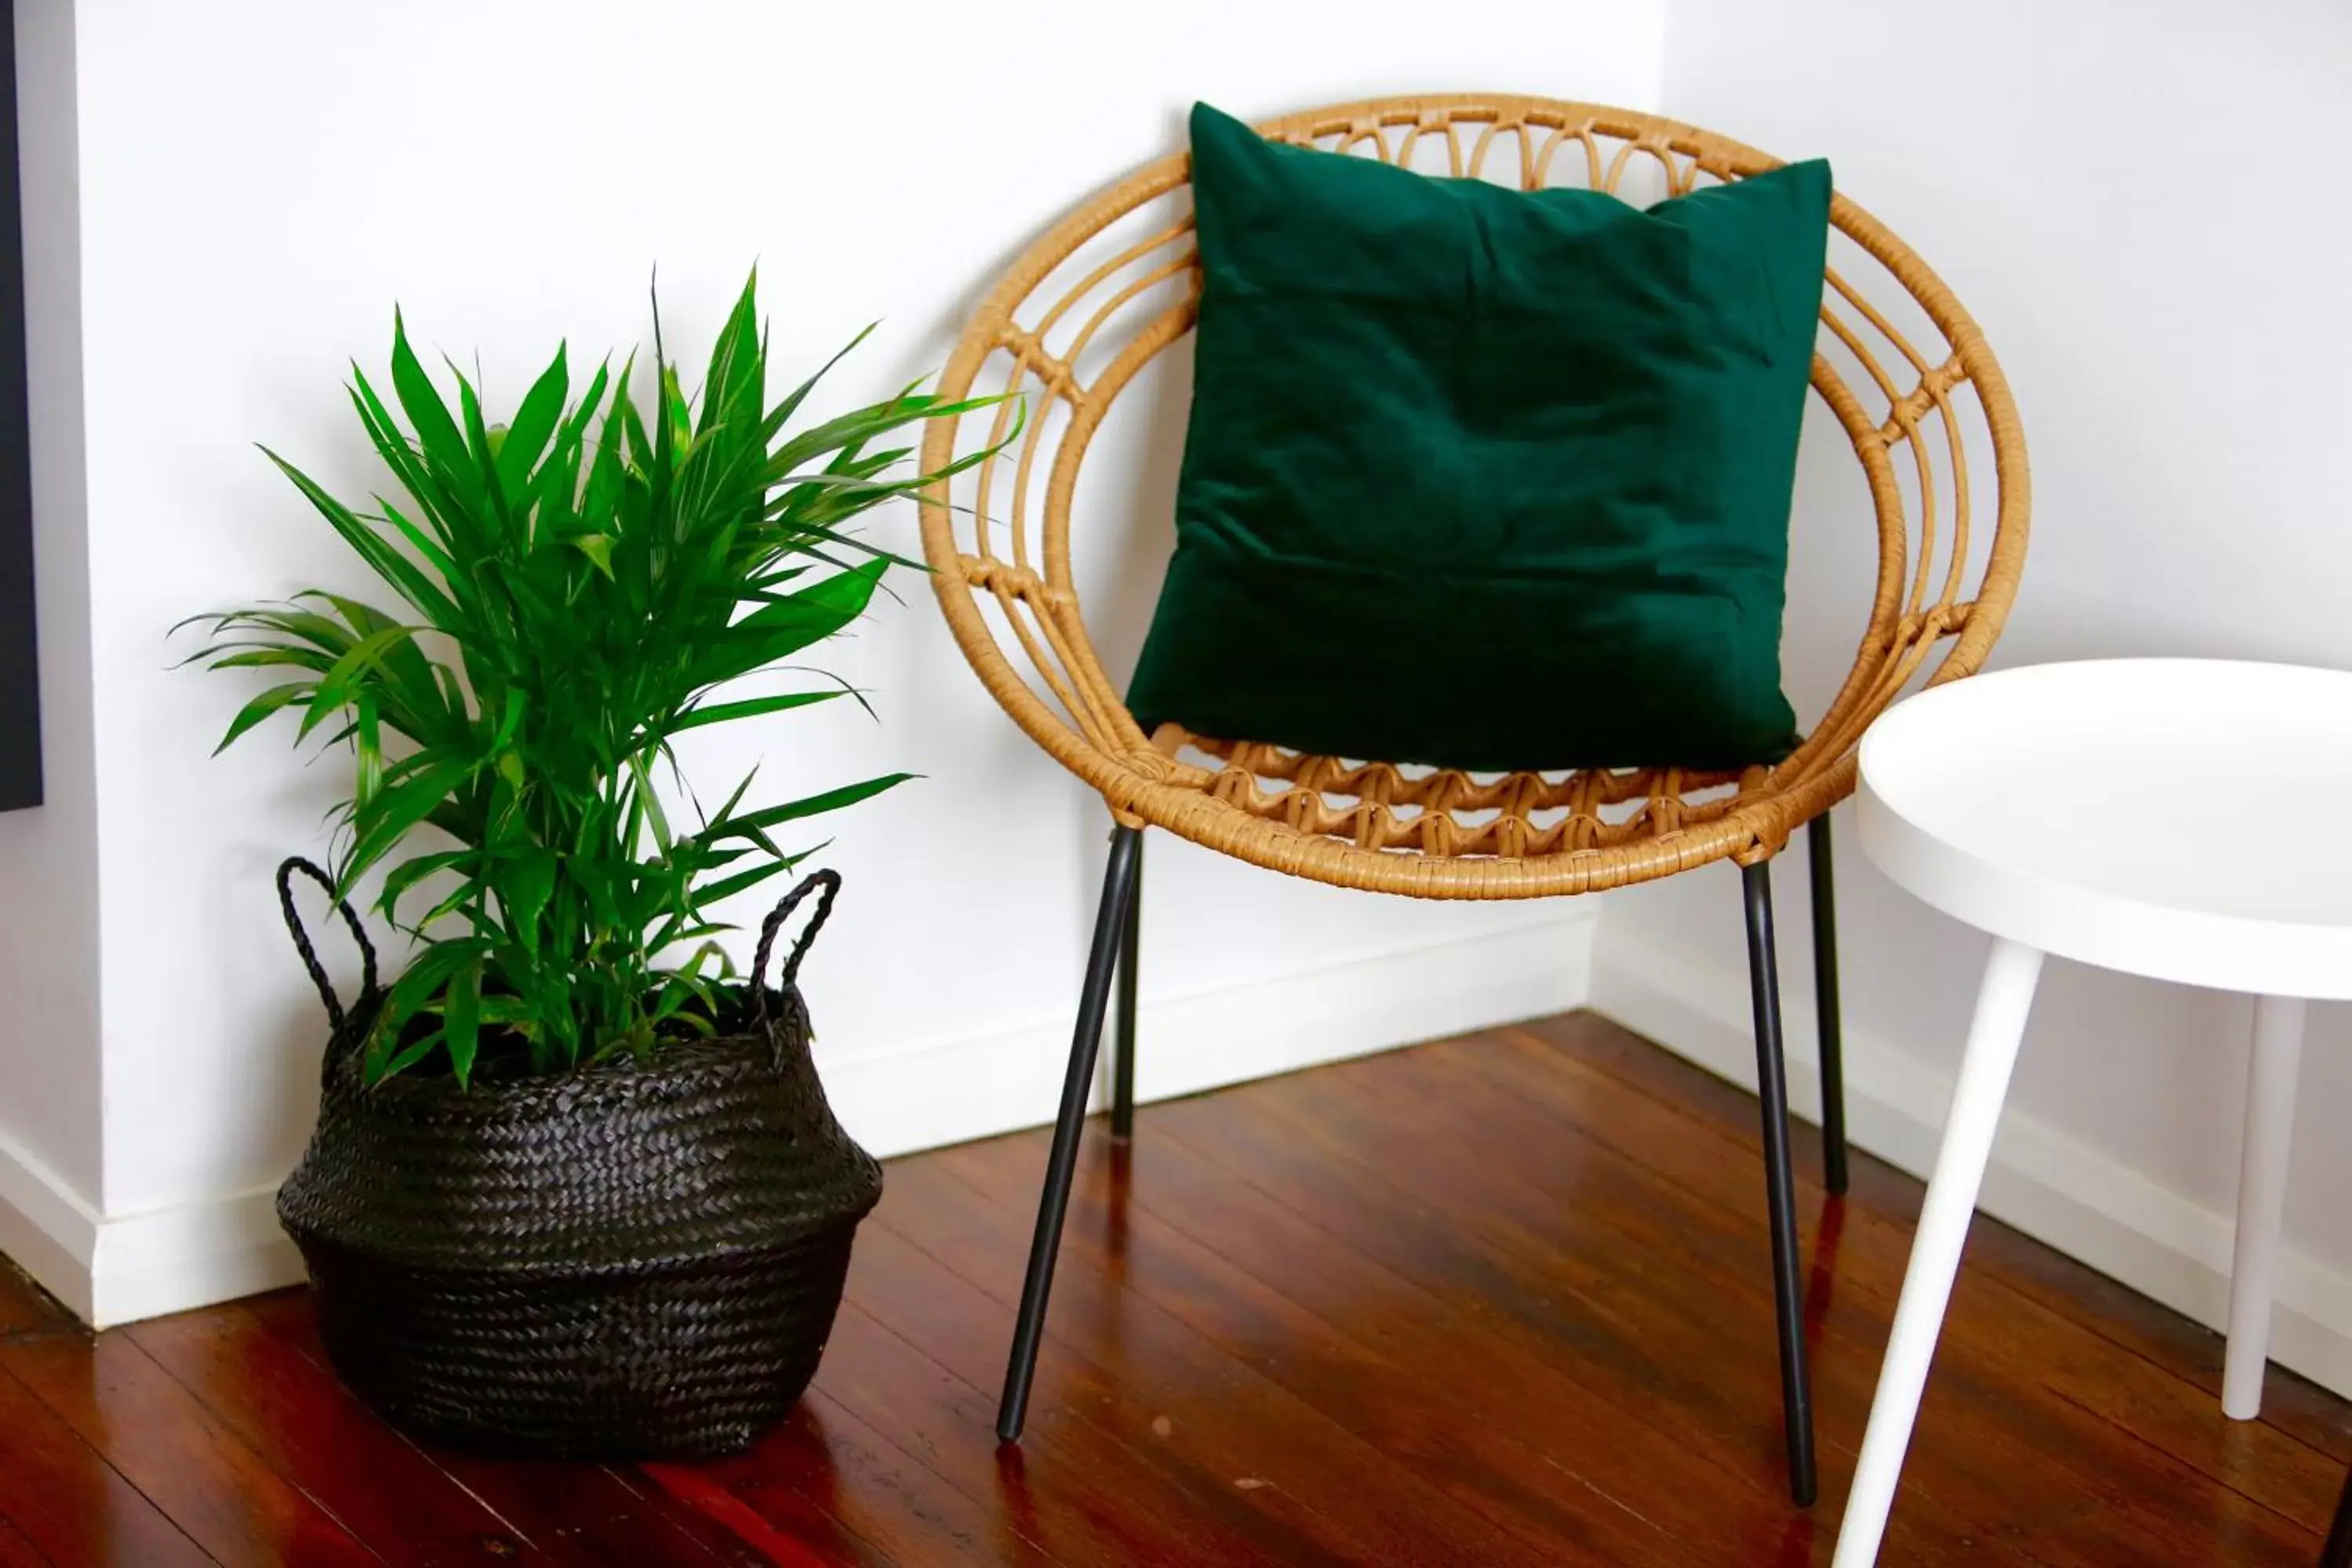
(2123, 815)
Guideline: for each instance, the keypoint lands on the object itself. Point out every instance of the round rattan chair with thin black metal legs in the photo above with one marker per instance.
(1109, 288)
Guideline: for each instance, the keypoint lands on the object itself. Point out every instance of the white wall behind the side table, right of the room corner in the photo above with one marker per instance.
(2134, 201)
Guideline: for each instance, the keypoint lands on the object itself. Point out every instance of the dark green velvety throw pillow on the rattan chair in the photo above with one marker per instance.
(1485, 478)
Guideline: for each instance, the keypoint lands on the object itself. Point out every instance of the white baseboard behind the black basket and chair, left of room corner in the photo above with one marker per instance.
(123, 1268)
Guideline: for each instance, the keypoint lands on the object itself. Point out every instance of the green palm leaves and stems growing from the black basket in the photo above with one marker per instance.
(575, 589)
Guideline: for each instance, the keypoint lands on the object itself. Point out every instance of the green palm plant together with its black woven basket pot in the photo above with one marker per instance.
(575, 1188)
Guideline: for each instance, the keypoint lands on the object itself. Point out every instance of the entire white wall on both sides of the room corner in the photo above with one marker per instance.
(225, 203)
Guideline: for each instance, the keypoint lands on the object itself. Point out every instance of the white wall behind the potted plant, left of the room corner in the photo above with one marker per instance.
(260, 180)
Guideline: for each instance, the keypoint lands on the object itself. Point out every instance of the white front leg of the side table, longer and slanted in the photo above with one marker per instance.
(2003, 1005)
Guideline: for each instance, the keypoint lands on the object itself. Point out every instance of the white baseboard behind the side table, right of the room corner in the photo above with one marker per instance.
(2043, 1181)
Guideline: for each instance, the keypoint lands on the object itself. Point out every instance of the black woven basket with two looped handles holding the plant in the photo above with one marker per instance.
(613, 1264)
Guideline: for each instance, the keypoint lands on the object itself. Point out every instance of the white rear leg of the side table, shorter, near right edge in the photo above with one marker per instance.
(2261, 1193)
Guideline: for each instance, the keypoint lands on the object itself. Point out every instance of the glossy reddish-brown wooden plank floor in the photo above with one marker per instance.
(1490, 1301)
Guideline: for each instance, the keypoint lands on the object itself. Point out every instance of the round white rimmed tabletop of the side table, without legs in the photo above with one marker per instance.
(2167, 817)
